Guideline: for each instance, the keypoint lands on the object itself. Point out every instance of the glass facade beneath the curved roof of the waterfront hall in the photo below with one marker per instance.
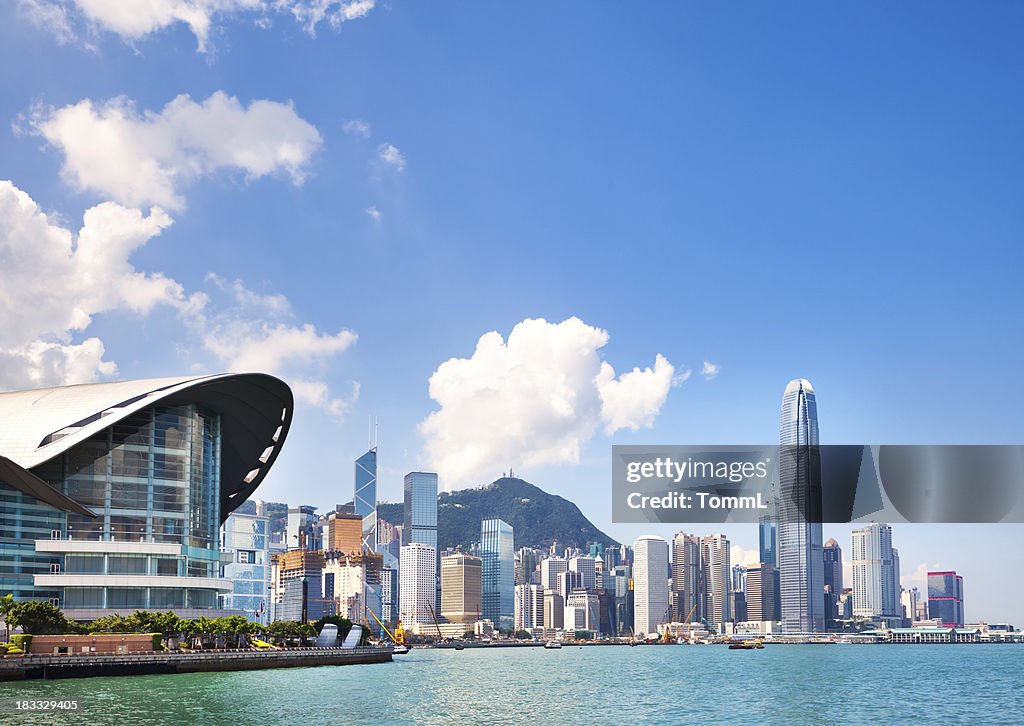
(154, 480)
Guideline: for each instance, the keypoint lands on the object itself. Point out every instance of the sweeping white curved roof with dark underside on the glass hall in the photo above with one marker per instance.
(255, 409)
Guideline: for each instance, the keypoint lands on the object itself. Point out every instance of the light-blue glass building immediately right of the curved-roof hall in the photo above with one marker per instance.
(245, 543)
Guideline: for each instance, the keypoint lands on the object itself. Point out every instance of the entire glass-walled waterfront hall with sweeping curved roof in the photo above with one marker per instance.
(112, 495)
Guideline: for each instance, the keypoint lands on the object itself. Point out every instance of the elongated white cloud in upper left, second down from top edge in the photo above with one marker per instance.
(146, 158)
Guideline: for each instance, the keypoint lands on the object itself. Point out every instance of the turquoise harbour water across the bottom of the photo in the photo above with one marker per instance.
(857, 685)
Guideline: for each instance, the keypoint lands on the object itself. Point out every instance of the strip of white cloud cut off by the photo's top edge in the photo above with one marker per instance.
(136, 21)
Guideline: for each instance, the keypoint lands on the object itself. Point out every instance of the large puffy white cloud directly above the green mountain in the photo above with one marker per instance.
(534, 400)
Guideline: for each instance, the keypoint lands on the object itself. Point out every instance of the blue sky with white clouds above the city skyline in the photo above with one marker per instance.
(789, 191)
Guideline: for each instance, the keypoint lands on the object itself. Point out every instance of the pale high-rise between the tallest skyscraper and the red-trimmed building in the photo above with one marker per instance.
(876, 573)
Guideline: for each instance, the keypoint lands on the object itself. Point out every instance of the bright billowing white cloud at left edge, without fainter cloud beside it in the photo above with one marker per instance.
(54, 282)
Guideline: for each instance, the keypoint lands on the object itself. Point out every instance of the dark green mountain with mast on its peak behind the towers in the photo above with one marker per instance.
(537, 518)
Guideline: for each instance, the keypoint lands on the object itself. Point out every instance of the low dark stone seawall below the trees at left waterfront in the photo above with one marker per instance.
(16, 668)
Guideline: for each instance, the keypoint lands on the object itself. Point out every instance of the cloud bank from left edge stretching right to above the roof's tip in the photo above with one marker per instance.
(54, 283)
